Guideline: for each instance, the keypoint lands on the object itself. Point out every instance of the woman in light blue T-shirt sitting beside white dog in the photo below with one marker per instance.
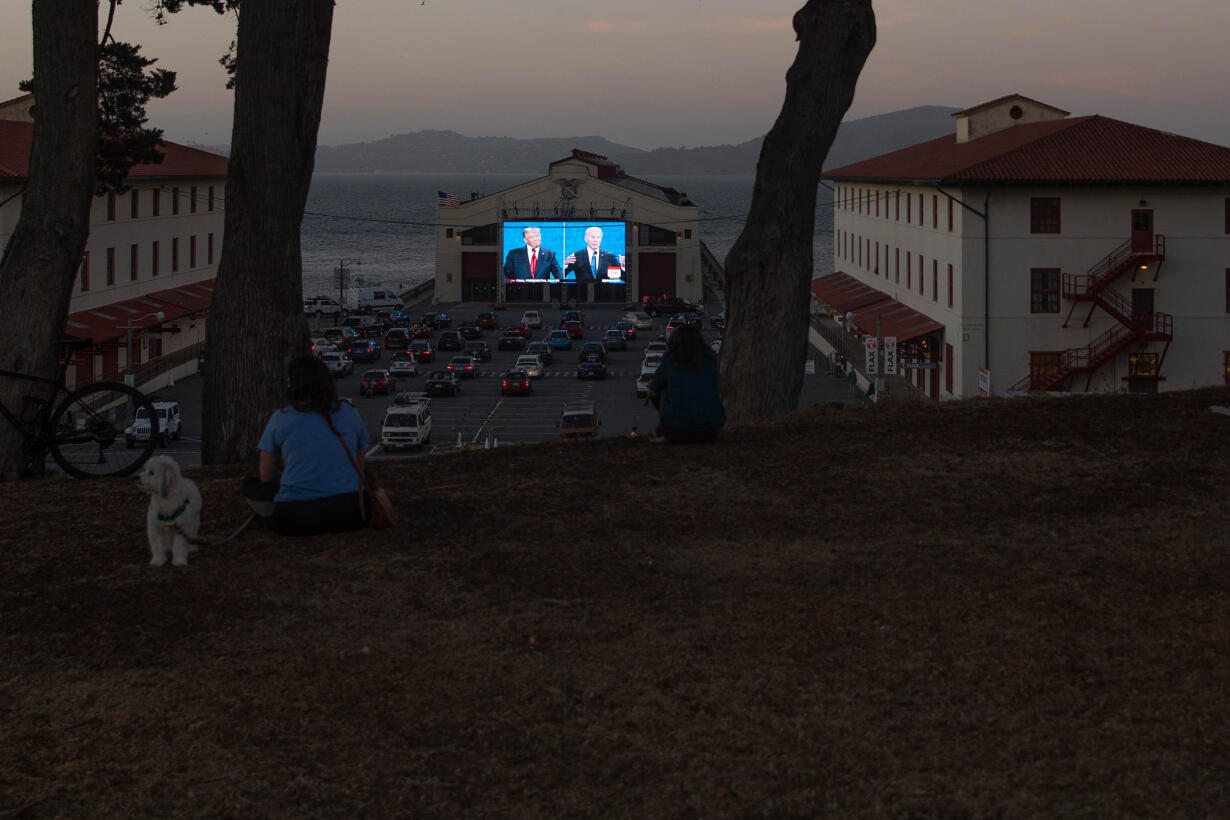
(307, 475)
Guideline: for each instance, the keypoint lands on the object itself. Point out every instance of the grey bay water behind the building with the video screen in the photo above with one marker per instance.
(383, 226)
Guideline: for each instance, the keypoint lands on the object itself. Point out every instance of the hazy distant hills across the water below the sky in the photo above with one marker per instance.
(450, 152)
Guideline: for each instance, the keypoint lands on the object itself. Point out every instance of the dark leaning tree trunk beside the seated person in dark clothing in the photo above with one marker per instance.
(769, 270)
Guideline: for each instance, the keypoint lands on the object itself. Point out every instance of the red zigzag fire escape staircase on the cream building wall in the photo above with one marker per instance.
(1132, 328)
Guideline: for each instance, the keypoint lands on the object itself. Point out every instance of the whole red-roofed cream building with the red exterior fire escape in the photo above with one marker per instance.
(1045, 251)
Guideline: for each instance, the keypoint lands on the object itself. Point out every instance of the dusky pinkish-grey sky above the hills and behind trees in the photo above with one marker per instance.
(689, 73)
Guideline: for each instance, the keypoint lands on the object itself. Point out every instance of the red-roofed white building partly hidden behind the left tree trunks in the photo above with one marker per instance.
(154, 249)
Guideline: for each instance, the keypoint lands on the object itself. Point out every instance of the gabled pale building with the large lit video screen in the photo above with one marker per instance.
(660, 226)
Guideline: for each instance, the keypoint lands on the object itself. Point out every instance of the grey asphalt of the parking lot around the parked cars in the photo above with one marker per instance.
(479, 416)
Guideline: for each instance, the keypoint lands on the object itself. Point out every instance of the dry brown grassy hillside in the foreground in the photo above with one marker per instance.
(983, 609)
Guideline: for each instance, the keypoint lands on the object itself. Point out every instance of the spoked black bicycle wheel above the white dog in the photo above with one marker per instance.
(87, 432)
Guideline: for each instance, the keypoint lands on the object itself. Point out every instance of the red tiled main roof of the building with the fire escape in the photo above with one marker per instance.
(1081, 151)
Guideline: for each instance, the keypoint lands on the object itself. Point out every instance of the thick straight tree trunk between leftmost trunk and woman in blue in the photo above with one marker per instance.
(258, 325)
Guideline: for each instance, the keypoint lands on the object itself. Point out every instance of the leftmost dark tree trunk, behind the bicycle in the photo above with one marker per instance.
(41, 261)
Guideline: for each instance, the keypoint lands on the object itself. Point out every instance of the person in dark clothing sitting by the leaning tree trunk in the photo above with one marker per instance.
(686, 390)
